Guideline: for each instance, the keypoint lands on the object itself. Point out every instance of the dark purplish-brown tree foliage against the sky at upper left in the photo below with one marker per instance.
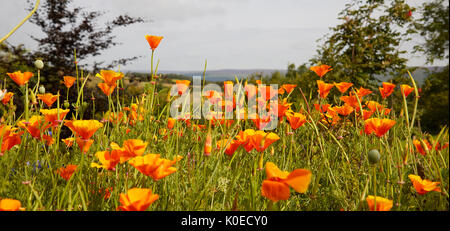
(68, 28)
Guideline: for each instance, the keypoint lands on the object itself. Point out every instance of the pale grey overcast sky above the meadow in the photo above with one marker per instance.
(231, 34)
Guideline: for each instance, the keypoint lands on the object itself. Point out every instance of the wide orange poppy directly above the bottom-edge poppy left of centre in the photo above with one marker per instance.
(153, 166)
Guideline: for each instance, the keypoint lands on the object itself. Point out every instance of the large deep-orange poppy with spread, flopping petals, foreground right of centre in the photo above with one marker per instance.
(276, 186)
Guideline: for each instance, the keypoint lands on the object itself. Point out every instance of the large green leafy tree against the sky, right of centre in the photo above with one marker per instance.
(366, 44)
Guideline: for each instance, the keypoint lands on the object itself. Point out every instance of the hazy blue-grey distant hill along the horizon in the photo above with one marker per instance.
(229, 74)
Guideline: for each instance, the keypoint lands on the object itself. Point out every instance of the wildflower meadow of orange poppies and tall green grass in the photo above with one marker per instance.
(239, 145)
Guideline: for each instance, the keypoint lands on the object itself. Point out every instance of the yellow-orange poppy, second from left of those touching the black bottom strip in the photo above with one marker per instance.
(137, 199)
